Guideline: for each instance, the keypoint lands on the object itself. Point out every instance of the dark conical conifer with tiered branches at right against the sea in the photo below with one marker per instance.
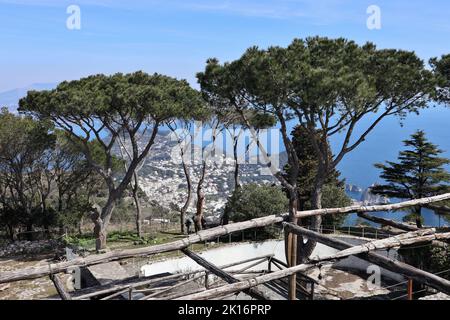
(419, 173)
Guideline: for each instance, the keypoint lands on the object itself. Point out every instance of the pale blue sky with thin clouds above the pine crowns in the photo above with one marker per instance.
(175, 37)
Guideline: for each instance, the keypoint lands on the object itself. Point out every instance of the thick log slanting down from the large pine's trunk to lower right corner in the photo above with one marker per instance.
(416, 274)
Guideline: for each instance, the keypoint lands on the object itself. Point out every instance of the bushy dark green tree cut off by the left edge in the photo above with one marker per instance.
(25, 173)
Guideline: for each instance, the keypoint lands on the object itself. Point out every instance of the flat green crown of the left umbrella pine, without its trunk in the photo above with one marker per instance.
(136, 95)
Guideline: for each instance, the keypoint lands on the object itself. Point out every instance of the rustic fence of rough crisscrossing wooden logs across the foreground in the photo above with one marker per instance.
(245, 280)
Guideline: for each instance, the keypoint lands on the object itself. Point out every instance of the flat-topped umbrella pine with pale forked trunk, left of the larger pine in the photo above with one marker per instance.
(103, 107)
